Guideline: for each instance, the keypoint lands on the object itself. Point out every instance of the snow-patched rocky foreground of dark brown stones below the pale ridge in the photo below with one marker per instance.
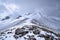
(29, 32)
